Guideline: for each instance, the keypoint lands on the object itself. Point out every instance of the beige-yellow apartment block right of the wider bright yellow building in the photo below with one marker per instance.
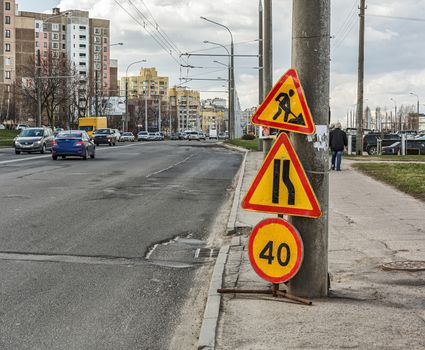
(185, 104)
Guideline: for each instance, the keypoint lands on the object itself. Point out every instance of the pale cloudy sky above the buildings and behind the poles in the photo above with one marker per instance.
(394, 49)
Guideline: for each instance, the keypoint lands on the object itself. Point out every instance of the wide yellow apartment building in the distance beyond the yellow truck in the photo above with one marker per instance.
(147, 82)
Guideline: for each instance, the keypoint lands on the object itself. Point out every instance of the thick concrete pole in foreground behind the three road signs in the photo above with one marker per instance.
(311, 58)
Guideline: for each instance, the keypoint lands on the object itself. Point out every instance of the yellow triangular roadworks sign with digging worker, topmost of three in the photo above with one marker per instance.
(285, 107)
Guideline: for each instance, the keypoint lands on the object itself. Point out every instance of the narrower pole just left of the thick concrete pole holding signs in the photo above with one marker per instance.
(267, 61)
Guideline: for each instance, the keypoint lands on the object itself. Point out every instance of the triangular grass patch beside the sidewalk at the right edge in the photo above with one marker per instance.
(408, 178)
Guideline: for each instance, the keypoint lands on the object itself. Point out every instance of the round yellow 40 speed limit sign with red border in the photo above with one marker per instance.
(275, 250)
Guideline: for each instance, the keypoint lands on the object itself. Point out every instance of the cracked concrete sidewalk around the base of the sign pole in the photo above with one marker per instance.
(368, 308)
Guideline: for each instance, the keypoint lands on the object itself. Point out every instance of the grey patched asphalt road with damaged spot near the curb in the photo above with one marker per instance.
(74, 236)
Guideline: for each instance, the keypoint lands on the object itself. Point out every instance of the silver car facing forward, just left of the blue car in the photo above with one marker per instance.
(34, 140)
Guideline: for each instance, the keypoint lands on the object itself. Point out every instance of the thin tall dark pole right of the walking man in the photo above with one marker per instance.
(360, 82)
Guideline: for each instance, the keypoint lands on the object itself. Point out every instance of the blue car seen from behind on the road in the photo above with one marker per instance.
(73, 143)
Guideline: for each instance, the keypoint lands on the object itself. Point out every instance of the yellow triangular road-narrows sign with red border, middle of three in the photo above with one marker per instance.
(281, 185)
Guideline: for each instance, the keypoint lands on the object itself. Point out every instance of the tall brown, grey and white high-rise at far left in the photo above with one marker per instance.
(72, 34)
